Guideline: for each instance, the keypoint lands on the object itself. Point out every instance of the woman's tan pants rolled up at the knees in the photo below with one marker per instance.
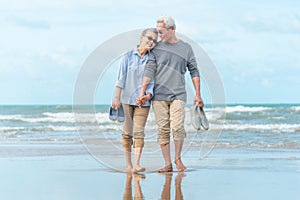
(134, 125)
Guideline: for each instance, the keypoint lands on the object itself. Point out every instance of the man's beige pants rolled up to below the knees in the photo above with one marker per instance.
(169, 115)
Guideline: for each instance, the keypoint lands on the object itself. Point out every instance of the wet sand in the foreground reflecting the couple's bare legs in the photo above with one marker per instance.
(69, 172)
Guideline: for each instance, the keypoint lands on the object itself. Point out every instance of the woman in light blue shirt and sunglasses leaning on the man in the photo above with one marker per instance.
(128, 88)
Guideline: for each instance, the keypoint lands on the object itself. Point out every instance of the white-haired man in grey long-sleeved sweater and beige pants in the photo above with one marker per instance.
(167, 65)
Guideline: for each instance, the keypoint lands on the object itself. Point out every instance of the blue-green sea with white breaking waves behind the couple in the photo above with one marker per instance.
(260, 126)
